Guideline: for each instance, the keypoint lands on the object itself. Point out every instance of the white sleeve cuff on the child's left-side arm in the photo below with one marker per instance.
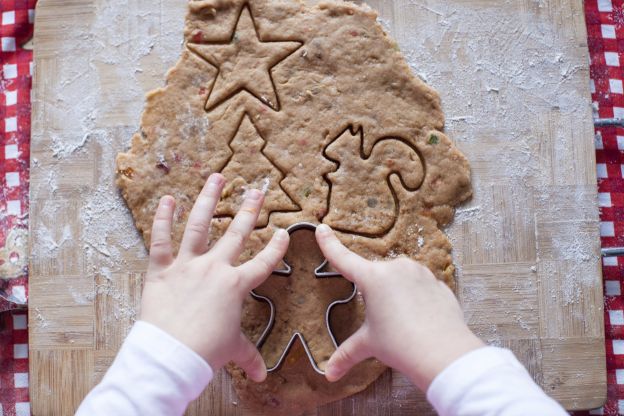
(153, 374)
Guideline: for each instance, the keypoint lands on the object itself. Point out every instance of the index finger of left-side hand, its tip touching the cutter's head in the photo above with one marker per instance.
(256, 270)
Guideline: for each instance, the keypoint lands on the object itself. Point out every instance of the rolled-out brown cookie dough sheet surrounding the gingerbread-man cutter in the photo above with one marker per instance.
(317, 107)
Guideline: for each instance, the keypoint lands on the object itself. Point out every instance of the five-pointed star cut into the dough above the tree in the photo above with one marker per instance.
(244, 63)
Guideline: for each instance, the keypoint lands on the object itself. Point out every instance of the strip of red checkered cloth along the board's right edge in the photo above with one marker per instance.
(605, 25)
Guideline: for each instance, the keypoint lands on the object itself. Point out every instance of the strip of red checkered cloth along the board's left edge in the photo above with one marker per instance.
(16, 28)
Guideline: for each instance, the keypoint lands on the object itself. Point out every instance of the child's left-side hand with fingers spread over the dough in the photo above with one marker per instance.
(198, 296)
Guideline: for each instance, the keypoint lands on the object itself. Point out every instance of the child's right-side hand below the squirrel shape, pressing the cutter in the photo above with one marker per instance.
(413, 321)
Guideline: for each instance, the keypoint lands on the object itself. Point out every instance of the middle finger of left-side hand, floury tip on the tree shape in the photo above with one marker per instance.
(231, 244)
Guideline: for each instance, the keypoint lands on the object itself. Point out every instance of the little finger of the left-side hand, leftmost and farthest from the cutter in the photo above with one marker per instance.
(161, 251)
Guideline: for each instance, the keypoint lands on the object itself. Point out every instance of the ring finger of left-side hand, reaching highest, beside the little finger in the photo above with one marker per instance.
(195, 240)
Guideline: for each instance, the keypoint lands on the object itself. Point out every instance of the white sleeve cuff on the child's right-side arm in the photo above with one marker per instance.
(489, 381)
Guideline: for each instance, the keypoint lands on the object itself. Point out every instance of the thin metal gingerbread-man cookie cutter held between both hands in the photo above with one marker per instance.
(319, 275)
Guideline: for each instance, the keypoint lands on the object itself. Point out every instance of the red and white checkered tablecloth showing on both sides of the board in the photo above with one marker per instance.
(605, 24)
